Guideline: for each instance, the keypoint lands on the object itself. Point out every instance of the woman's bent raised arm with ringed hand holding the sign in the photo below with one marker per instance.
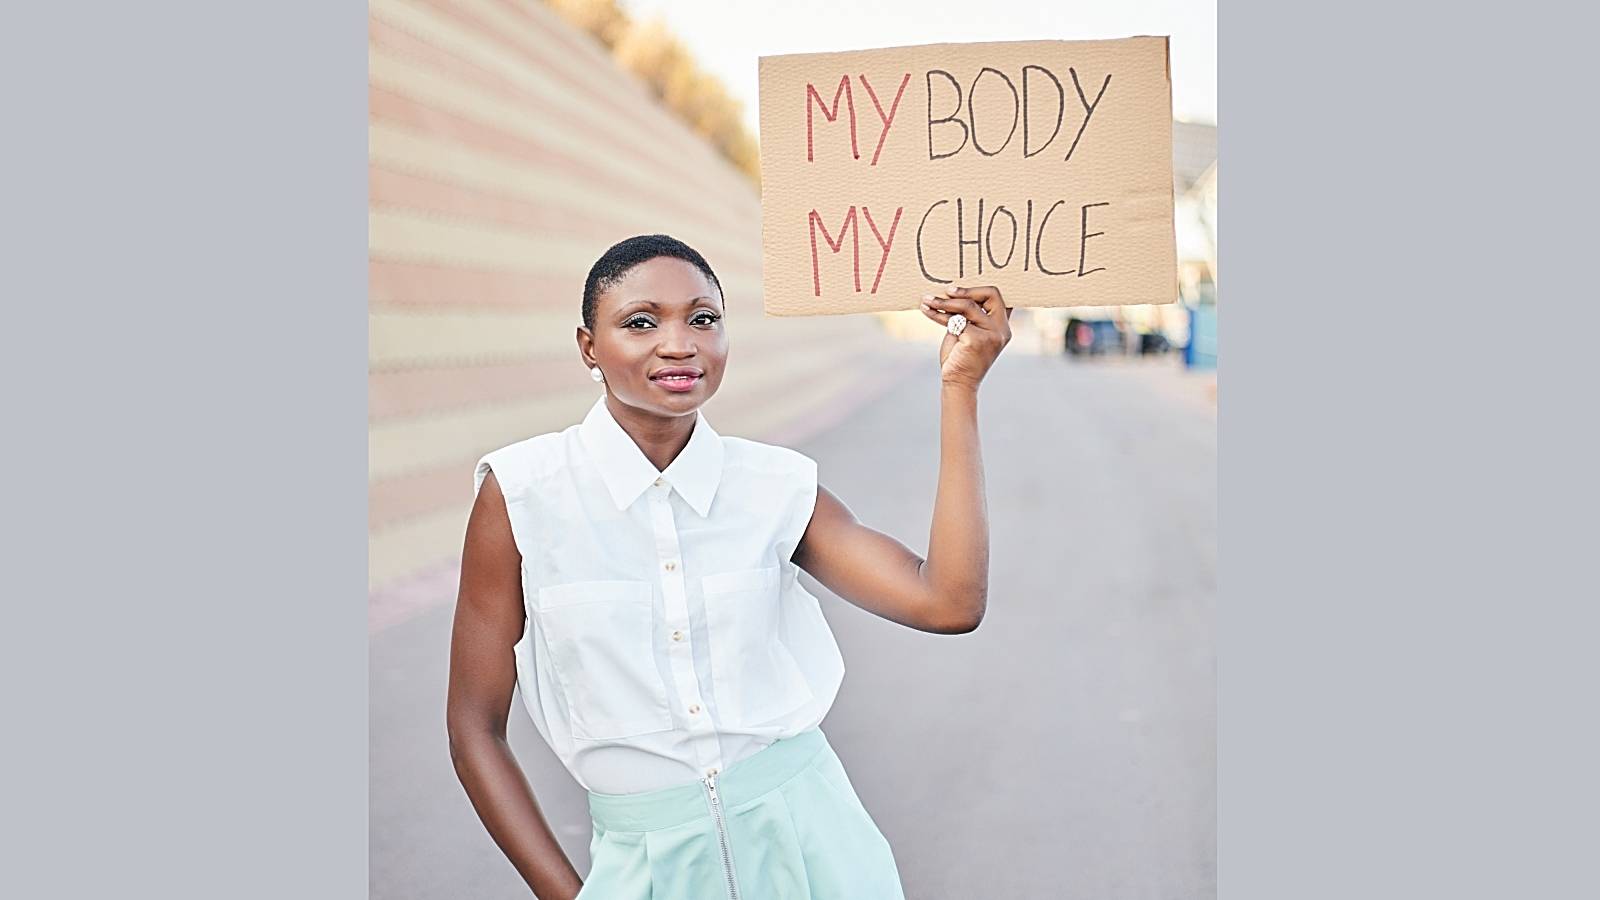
(948, 592)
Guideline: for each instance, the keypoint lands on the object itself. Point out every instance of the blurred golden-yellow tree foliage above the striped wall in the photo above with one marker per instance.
(650, 52)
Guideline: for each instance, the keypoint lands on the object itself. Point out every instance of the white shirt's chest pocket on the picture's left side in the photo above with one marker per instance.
(602, 653)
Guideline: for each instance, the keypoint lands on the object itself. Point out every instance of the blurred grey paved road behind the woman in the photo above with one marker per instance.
(1063, 750)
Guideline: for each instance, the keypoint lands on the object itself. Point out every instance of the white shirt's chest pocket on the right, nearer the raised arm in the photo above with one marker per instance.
(754, 675)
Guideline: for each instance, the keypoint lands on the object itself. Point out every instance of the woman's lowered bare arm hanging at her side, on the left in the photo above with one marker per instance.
(482, 675)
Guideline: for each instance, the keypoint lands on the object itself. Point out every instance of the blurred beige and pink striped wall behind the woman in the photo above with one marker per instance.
(506, 155)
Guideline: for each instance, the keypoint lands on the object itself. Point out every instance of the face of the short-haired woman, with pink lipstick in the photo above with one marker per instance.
(662, 318)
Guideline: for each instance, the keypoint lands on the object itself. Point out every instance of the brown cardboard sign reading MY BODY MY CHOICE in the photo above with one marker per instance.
(1041, 167)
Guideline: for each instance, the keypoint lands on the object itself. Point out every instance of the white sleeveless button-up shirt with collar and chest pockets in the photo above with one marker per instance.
(668, 635)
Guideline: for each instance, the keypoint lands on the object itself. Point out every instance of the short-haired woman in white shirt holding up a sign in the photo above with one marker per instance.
(638, 577)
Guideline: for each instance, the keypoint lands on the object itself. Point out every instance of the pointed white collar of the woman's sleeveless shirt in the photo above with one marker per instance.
(628, 473)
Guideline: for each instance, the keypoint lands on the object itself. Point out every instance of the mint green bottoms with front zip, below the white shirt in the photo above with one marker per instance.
(780, 826)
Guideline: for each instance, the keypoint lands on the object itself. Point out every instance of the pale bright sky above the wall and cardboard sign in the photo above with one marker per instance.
(727, 36)
